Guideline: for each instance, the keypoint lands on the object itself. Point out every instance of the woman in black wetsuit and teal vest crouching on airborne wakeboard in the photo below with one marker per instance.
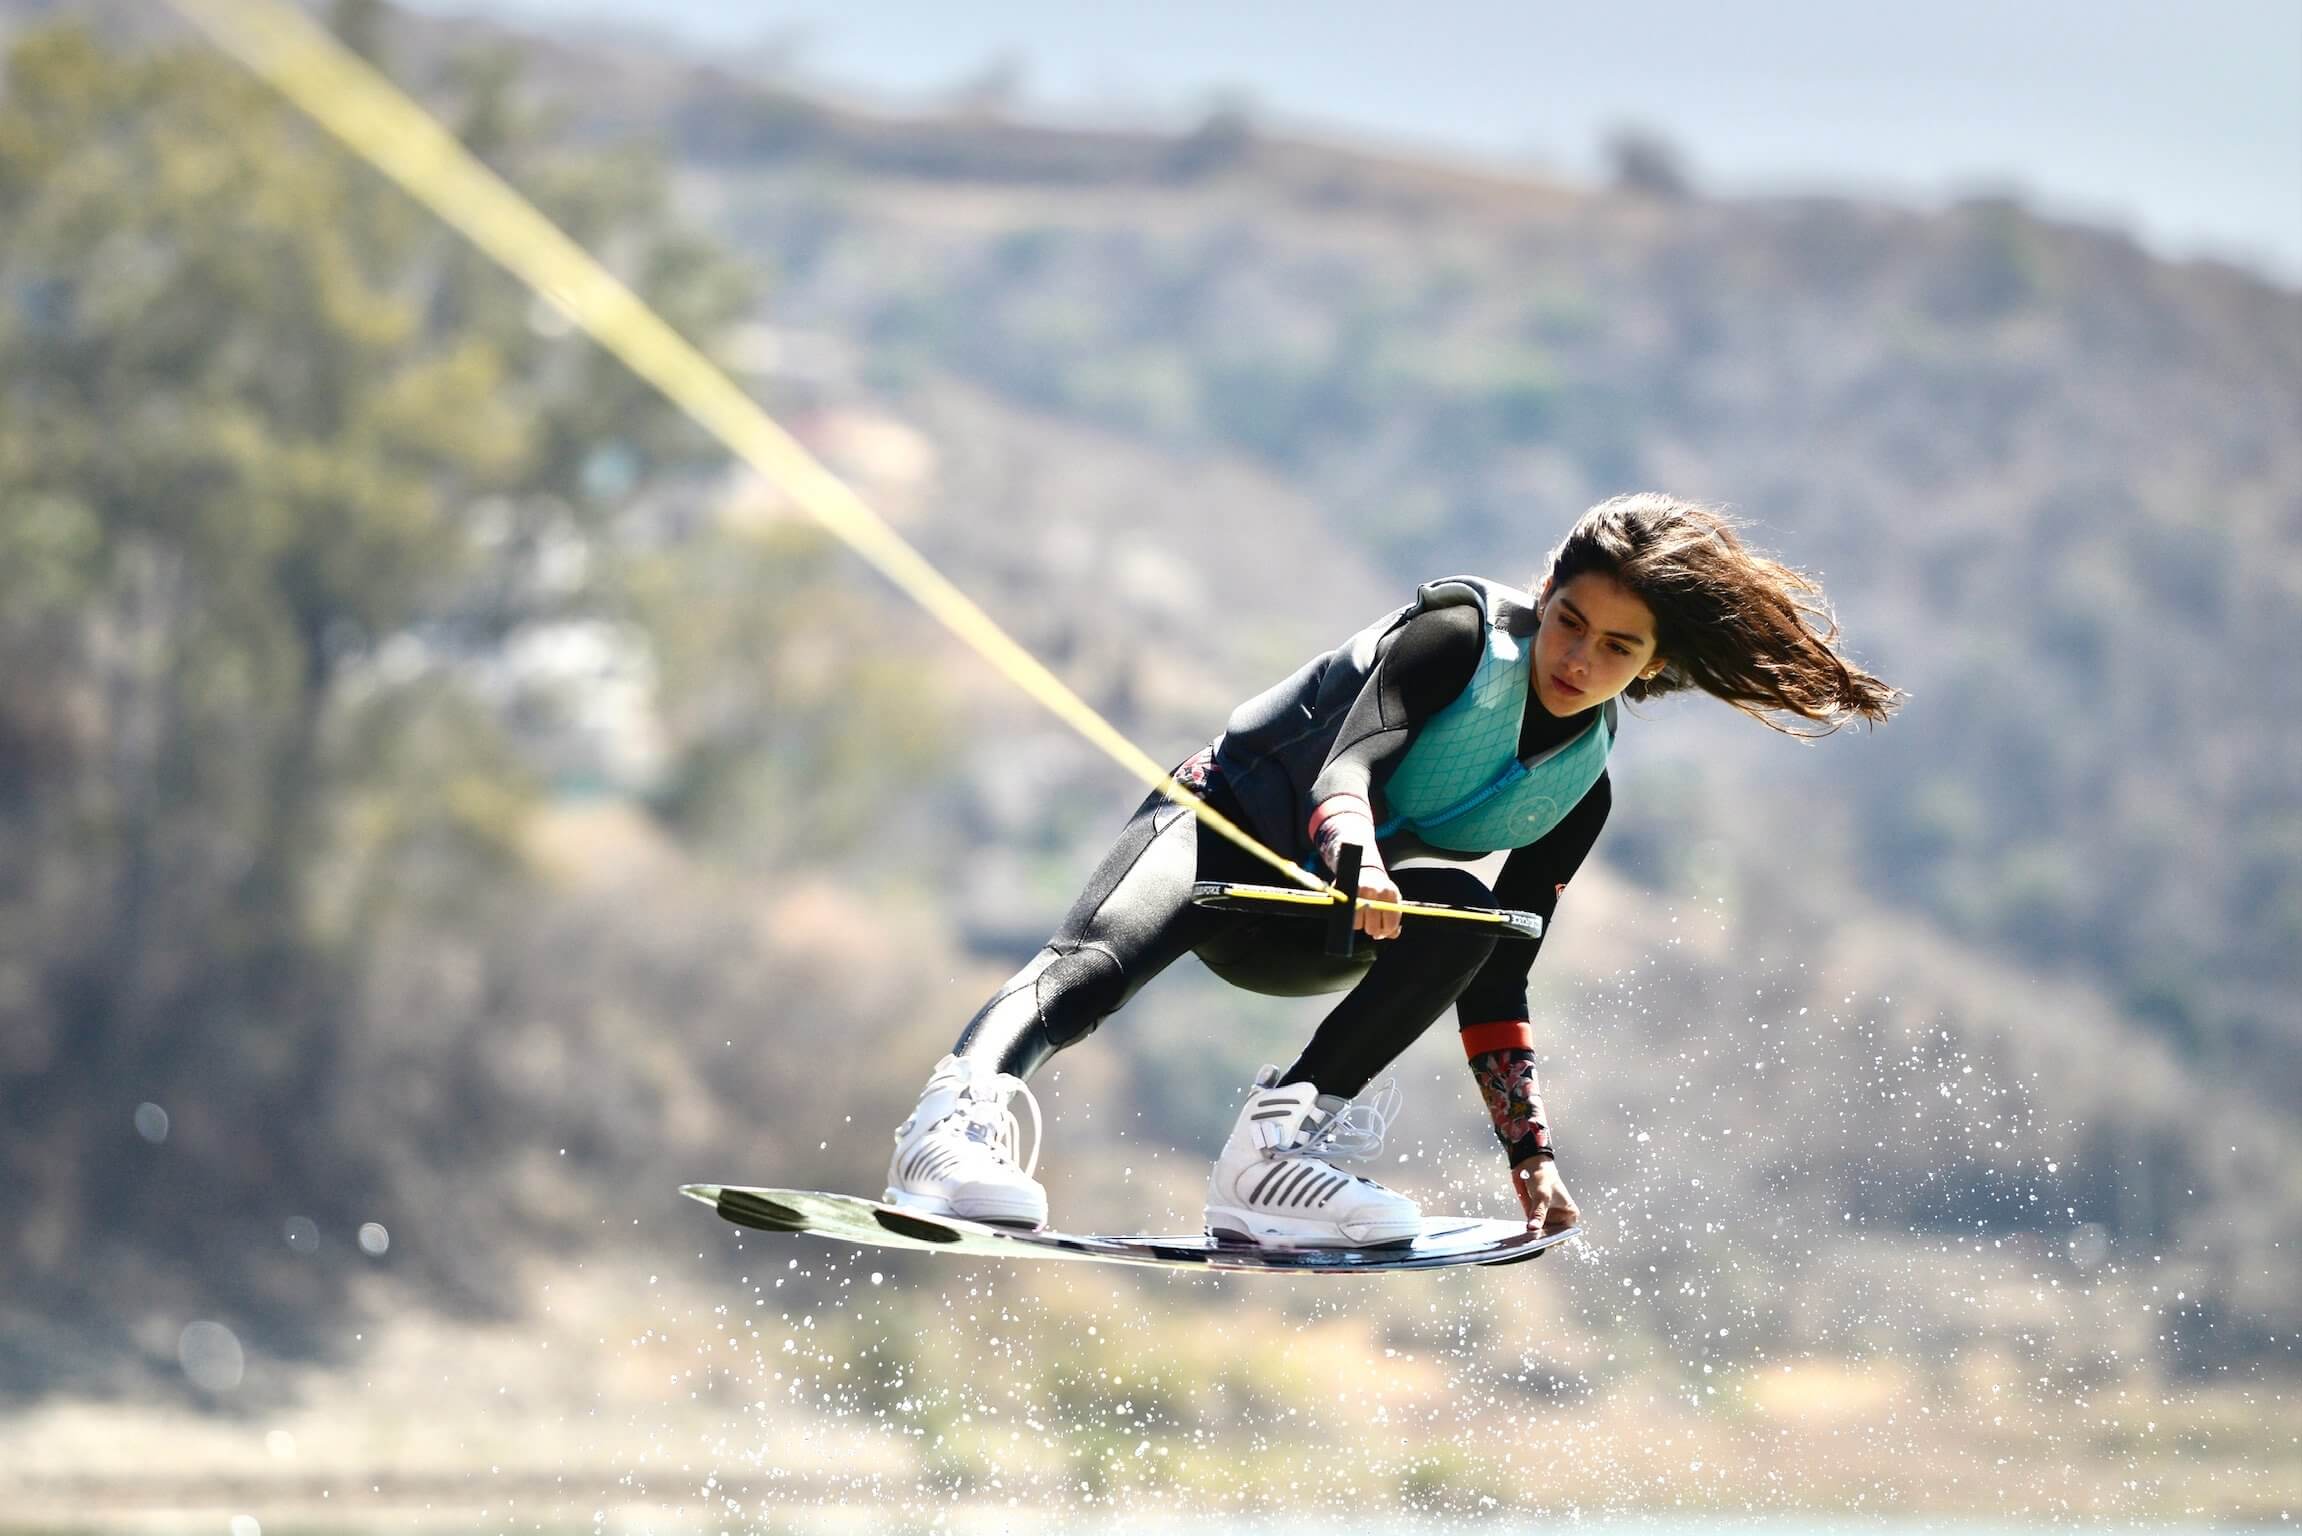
(1472, 722)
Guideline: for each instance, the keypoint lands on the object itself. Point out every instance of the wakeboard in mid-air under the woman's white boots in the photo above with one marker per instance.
(1445, 1242)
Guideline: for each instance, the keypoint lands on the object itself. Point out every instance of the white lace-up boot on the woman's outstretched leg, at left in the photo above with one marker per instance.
(956, 1153)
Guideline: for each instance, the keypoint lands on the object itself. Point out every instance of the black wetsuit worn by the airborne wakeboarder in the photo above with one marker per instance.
(1136, 915)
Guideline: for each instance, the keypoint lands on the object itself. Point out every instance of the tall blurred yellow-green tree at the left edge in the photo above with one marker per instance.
(250, 402)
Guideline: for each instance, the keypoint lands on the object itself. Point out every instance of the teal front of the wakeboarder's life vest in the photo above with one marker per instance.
(1463, 786)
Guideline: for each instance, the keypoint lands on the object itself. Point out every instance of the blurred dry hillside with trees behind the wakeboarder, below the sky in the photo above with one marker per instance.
(459, 805)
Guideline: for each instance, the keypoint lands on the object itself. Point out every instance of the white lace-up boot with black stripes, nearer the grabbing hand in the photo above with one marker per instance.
(1279, 1189)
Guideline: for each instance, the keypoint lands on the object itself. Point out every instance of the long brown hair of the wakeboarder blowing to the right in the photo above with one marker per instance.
(1728, 621)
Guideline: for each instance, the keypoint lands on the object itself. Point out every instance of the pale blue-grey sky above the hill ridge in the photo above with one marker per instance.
(2174, 119)
